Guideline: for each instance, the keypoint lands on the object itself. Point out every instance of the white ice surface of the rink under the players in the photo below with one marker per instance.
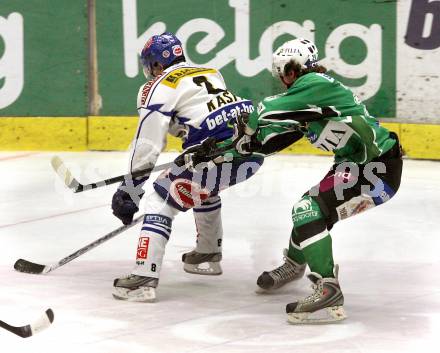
(389, 266)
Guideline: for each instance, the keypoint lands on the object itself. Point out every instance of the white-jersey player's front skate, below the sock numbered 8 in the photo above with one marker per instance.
(135, 288)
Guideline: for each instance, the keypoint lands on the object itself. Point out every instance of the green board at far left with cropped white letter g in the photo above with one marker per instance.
(43, 58)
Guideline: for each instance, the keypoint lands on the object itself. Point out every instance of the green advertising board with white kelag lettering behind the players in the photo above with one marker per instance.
(239, 36)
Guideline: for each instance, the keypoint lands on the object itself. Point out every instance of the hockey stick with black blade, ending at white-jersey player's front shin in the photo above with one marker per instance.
(22, 265)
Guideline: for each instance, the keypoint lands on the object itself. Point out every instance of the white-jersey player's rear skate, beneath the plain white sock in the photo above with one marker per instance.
(202, 264)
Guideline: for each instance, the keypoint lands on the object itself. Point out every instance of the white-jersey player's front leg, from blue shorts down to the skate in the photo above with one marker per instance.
(178, 189)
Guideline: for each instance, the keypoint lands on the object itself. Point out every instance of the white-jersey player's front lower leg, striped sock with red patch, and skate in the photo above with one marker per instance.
(156, 229)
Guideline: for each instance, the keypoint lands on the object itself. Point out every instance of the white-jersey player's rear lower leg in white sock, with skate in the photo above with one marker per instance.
(205, 258)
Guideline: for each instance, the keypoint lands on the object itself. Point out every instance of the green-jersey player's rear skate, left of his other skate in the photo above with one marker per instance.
(287, 272)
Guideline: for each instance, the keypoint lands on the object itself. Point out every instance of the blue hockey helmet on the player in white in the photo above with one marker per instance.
(162, 49)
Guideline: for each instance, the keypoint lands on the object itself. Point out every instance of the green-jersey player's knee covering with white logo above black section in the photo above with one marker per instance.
(308, 220)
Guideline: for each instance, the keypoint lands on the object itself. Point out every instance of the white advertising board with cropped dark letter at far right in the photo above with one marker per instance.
(418, 61)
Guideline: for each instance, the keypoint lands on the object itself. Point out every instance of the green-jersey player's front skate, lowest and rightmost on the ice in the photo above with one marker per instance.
(324, 305)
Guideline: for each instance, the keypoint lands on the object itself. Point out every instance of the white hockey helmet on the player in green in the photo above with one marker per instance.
(301, 50)
